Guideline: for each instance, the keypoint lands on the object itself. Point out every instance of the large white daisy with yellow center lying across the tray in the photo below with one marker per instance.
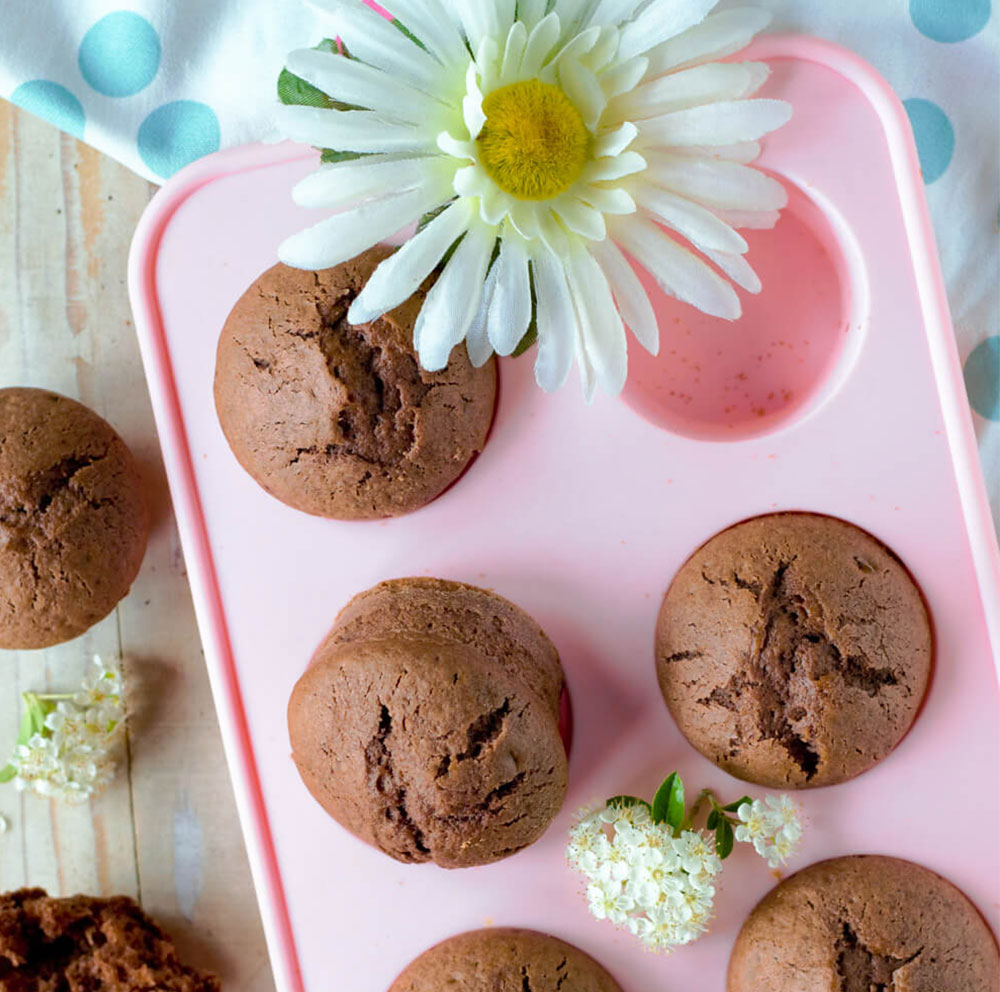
(552, 140)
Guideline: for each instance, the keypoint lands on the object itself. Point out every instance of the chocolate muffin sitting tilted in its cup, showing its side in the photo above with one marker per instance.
(428, 724)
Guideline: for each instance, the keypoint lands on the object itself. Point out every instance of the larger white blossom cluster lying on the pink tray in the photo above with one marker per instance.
(660, 887)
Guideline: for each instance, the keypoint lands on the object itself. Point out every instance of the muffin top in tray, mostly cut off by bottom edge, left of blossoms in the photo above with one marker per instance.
(505, 960)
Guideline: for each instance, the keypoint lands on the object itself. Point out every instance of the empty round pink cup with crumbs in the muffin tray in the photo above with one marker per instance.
(784, 359)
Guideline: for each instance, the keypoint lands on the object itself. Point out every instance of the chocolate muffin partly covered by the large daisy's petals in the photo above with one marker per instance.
(340, 420)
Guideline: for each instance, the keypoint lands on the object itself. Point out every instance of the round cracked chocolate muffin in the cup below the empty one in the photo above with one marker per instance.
(793, 650)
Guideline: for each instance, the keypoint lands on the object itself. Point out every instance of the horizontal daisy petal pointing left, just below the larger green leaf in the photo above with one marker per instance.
(350, 130)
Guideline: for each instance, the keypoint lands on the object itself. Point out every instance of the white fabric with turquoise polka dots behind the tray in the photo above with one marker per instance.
(157, 85)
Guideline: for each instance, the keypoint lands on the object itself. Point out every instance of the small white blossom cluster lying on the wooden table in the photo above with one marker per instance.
(73, 756)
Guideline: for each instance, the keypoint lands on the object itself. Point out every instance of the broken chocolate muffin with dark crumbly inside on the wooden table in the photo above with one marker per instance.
(83, 943)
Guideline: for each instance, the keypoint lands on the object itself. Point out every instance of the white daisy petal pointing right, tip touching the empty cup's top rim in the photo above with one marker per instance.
(717, 183)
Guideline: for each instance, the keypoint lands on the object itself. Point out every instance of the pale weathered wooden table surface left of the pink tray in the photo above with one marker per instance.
(166, 831)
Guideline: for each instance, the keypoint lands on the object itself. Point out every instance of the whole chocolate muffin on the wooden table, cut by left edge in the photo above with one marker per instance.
(73, 519)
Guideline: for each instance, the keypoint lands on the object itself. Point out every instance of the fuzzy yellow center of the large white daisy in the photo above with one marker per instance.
(534, 143)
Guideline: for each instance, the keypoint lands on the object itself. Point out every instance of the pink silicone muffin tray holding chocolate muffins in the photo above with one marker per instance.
(840, 393)
